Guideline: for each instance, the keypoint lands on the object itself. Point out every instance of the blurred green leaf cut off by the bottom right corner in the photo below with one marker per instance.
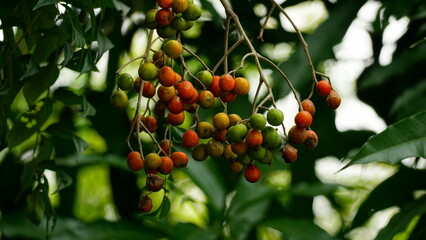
(401, 220)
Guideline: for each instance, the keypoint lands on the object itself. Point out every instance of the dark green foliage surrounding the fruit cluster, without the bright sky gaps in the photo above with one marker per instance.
(65, 129)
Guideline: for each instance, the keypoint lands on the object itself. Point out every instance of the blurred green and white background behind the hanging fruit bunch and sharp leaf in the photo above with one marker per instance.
(63, 173)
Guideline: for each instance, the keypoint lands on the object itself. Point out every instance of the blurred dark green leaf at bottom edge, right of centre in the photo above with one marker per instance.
(298, 229)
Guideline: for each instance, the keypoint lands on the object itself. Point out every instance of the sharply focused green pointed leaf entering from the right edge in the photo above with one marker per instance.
(406, 138)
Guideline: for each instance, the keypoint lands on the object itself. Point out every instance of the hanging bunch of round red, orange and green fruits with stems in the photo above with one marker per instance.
(244, 143)
